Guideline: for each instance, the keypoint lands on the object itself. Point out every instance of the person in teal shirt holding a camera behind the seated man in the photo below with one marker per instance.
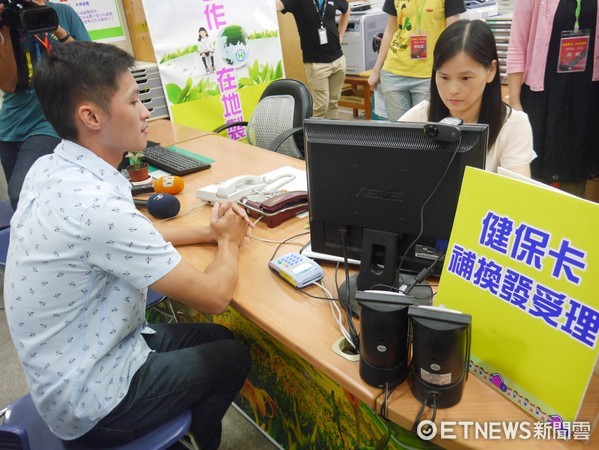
(25, 134)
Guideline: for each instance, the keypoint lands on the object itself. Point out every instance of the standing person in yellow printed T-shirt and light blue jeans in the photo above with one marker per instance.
(404, 63)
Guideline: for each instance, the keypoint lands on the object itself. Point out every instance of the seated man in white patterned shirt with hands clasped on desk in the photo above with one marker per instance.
(81, 259)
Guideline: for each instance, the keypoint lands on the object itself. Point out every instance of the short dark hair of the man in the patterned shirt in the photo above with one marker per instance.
(75, 72)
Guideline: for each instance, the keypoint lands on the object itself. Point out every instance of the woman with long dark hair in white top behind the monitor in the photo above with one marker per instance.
(465, 84)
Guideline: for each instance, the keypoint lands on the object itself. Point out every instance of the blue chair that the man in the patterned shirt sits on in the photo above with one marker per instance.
(24, 429)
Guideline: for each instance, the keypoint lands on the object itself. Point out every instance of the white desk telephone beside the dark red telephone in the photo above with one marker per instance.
(237, 187)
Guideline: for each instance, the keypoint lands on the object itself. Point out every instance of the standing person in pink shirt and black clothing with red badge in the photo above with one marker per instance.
(559, 92)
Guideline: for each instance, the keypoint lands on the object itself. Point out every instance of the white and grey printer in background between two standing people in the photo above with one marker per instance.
(357, 44)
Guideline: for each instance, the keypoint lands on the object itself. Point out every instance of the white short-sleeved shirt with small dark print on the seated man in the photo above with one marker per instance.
(80, 260)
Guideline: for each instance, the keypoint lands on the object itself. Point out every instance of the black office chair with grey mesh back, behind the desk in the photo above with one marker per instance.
(277, 123)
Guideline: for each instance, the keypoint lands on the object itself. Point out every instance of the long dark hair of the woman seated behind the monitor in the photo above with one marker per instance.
(476, 39)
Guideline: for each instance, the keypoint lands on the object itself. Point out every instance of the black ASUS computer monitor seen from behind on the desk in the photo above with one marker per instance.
(369, 180)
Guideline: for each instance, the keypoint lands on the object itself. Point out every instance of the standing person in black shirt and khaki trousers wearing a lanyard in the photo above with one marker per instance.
(320, 40)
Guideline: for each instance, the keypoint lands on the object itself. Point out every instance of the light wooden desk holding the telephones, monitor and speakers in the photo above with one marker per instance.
(305, 326)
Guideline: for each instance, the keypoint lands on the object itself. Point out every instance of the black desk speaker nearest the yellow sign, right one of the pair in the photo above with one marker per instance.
(440, 354)
